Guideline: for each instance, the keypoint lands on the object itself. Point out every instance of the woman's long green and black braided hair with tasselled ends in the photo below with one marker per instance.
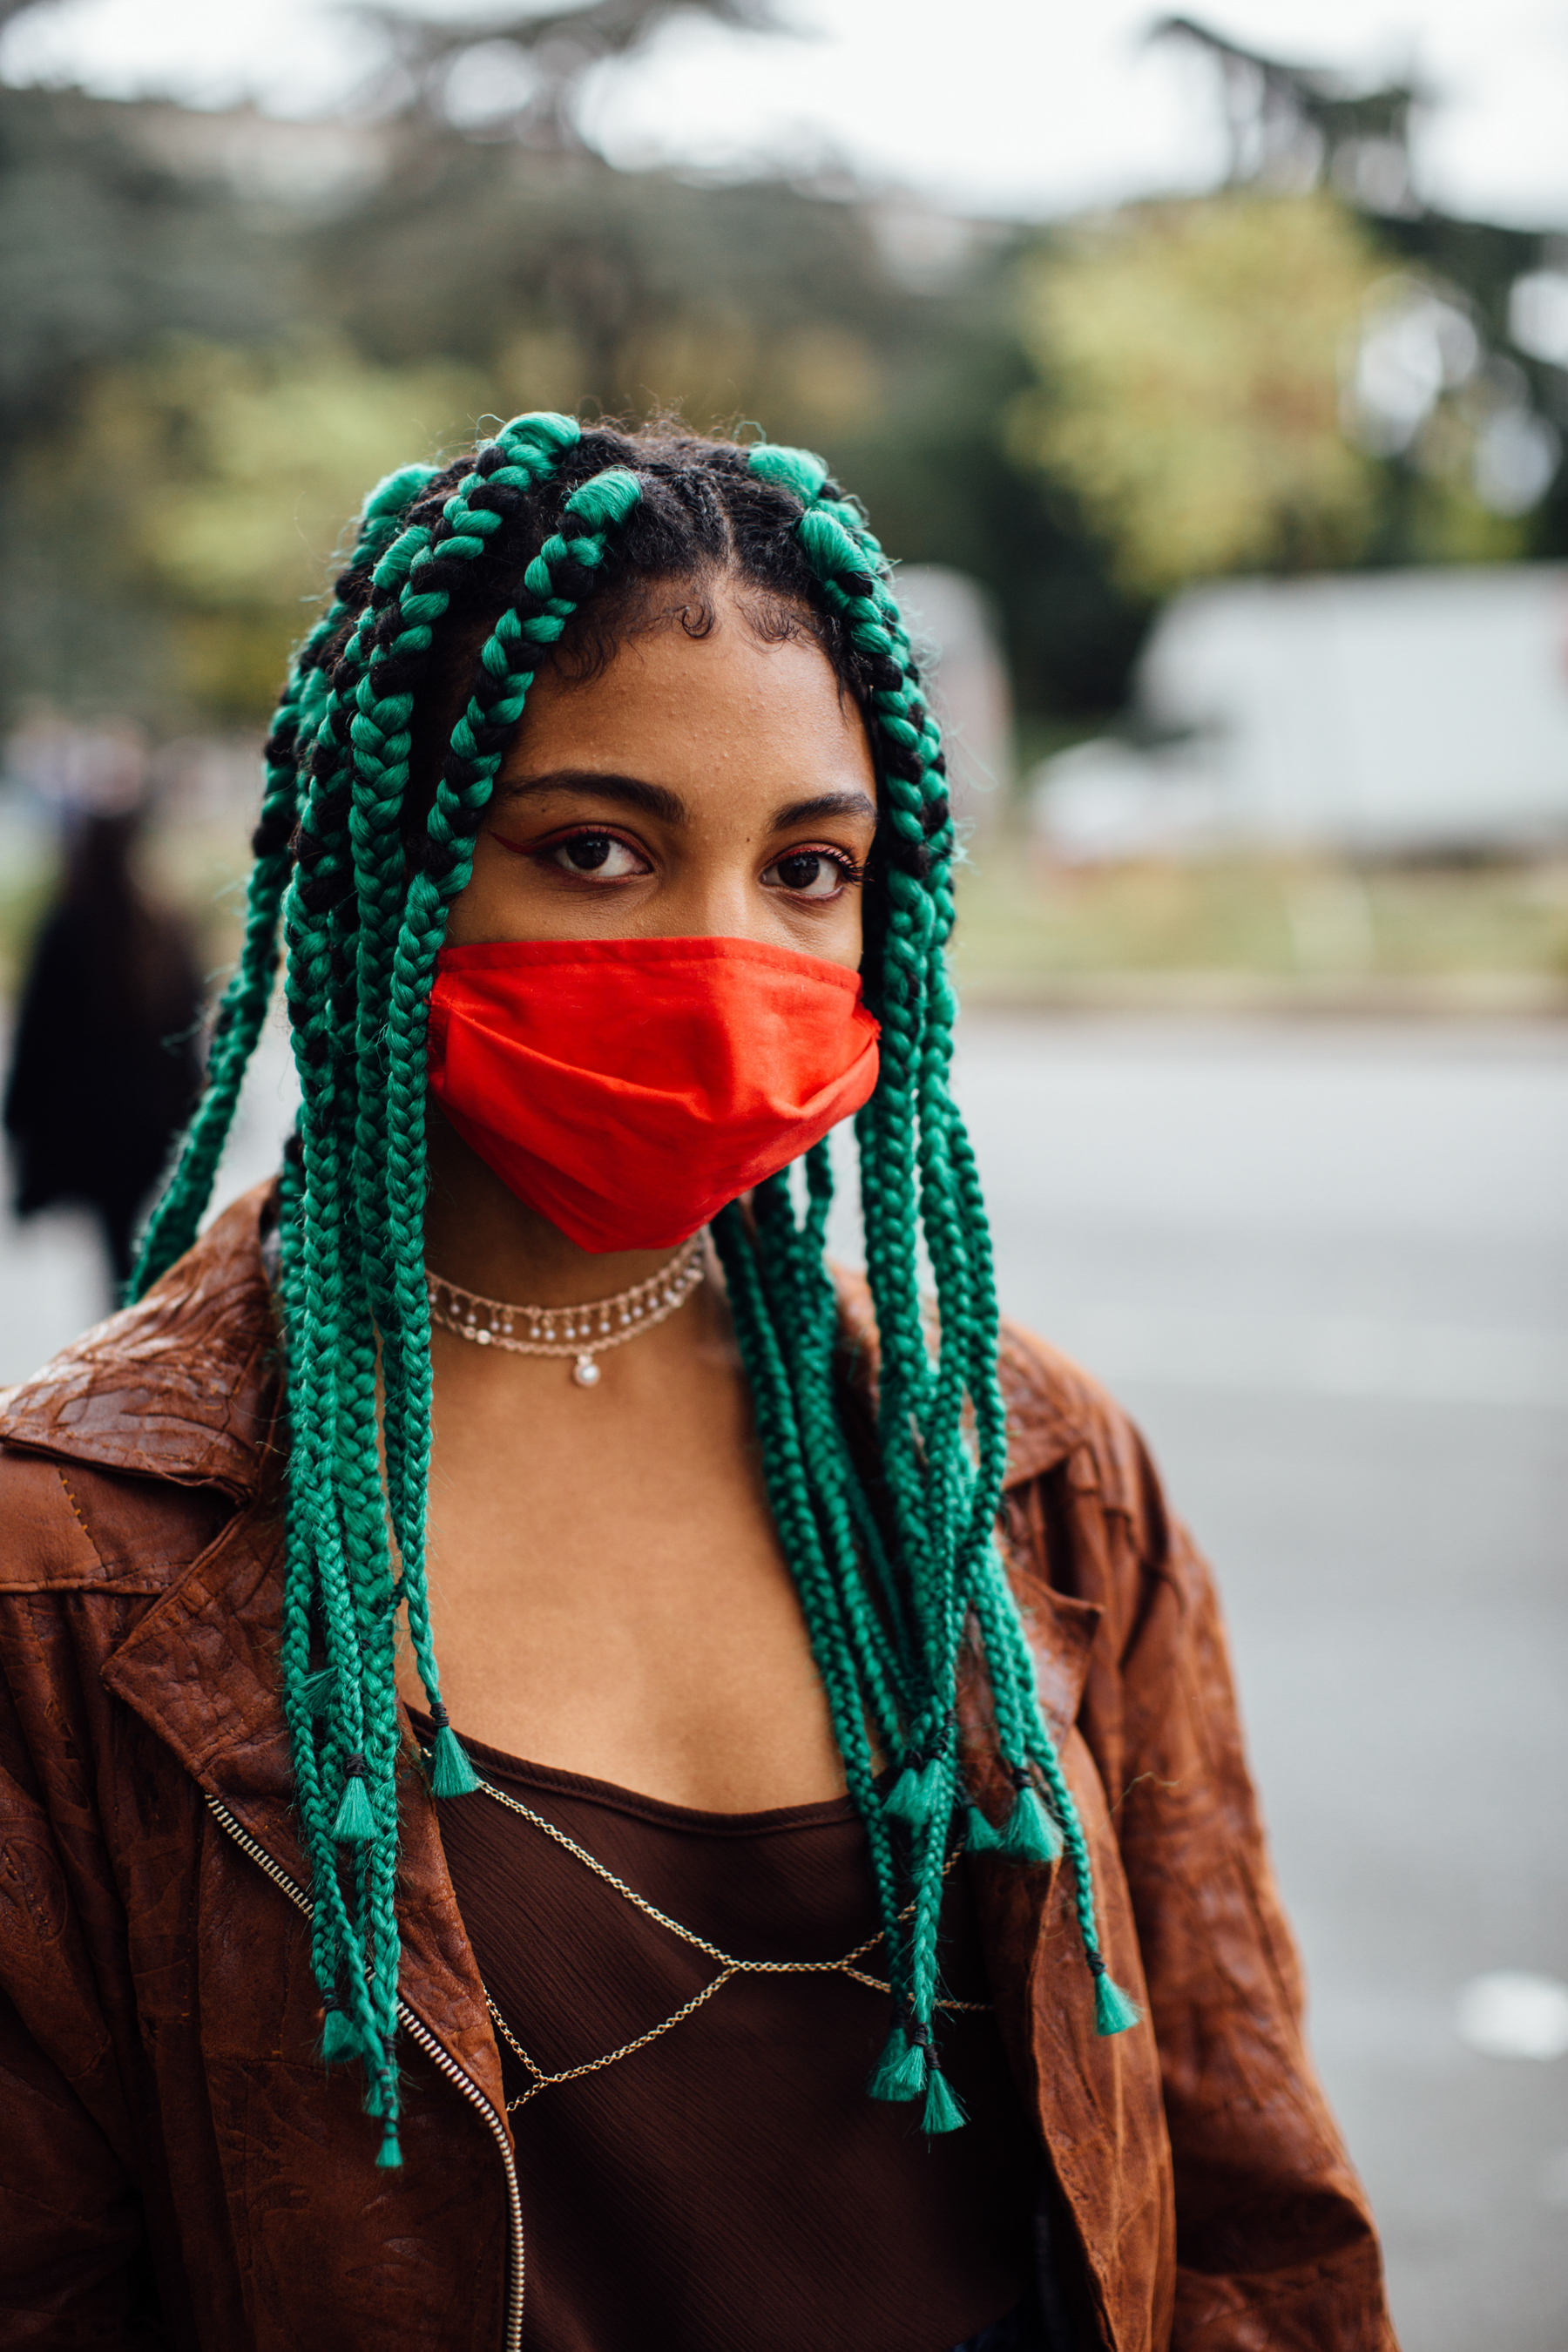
(377, 773)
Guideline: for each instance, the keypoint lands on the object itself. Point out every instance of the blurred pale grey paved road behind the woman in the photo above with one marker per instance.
(1329, 1274)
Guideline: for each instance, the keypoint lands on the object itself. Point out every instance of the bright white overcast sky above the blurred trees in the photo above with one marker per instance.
(1028, 107)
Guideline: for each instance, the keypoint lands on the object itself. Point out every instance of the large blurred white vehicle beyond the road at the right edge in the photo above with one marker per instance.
(1372, 716)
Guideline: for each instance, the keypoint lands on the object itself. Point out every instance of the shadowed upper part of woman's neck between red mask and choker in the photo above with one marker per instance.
(488, 1241)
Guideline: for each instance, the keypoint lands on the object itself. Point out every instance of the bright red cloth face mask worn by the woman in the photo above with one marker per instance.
(631, 1088)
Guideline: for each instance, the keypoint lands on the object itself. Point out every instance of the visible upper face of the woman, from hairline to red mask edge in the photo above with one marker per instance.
(695, 789)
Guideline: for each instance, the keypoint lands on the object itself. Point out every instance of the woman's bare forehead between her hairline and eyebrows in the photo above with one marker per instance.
(725, 711)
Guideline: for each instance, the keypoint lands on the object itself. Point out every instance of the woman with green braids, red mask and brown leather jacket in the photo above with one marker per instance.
(819, 1897)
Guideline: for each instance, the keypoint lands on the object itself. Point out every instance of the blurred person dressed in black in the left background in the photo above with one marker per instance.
(105, 1062)
